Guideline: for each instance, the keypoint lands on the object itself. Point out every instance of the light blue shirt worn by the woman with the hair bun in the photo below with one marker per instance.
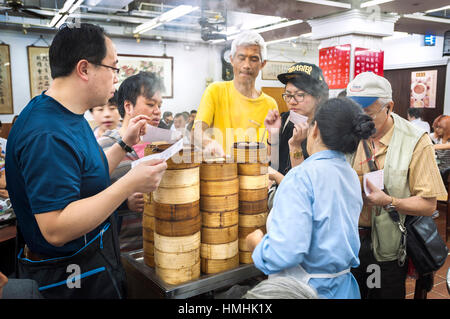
(314, 223)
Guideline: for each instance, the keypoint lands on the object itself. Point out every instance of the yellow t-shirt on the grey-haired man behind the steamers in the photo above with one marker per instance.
(224, 108)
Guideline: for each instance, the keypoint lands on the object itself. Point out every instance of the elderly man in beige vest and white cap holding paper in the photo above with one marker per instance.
(411, 181)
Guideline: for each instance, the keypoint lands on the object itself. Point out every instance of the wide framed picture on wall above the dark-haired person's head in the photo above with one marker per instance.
(161, 65)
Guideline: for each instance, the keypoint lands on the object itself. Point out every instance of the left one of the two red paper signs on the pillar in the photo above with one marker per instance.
(335, 64)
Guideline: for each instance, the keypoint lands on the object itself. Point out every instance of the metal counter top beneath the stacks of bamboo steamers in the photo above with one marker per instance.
(143, 282)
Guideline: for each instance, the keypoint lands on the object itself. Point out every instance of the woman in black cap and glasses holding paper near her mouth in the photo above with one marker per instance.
(305, 89)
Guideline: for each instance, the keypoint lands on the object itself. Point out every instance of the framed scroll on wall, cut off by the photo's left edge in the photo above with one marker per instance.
(6, 100)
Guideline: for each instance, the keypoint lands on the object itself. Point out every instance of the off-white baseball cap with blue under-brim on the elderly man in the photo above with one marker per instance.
(367, 87)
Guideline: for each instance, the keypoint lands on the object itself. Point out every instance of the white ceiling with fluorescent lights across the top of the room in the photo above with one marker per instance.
(214, 18)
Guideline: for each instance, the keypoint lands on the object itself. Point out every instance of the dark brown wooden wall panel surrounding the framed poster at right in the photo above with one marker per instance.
(401, 86)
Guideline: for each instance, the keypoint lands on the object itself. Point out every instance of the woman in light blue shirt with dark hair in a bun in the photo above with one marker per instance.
(313, 226)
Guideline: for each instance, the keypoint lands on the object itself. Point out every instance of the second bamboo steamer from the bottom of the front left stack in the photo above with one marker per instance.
(176, 260)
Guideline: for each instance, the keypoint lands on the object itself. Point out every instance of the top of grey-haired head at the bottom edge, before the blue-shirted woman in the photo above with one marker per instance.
(281, 287)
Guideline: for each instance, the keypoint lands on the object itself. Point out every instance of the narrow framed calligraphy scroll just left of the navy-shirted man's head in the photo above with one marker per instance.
(39, 69)
